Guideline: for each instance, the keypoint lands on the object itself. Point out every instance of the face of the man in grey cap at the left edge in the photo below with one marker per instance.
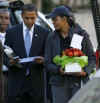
(4, 20)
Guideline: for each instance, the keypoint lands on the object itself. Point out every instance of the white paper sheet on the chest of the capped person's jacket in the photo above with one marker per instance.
(76, 41)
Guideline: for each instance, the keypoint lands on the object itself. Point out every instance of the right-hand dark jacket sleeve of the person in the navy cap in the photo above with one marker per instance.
(88, 50)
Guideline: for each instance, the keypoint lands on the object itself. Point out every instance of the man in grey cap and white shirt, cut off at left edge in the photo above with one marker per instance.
(4, 23)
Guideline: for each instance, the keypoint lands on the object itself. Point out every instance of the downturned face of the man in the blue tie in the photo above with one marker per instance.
(29, 18)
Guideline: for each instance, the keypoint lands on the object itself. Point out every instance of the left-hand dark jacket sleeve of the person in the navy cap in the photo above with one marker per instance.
(50, 66)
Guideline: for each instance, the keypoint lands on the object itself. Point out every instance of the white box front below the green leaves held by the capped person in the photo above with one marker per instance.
(74, 67)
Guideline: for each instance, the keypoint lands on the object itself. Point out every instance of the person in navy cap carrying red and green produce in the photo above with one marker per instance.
(67, 36)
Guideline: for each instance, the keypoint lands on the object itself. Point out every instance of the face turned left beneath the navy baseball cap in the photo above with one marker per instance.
(58, 22)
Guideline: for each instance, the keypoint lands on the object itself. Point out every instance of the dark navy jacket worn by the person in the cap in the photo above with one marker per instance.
(53, 49)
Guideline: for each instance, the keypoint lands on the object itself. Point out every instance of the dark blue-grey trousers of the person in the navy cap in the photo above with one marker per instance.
(63, 93)
